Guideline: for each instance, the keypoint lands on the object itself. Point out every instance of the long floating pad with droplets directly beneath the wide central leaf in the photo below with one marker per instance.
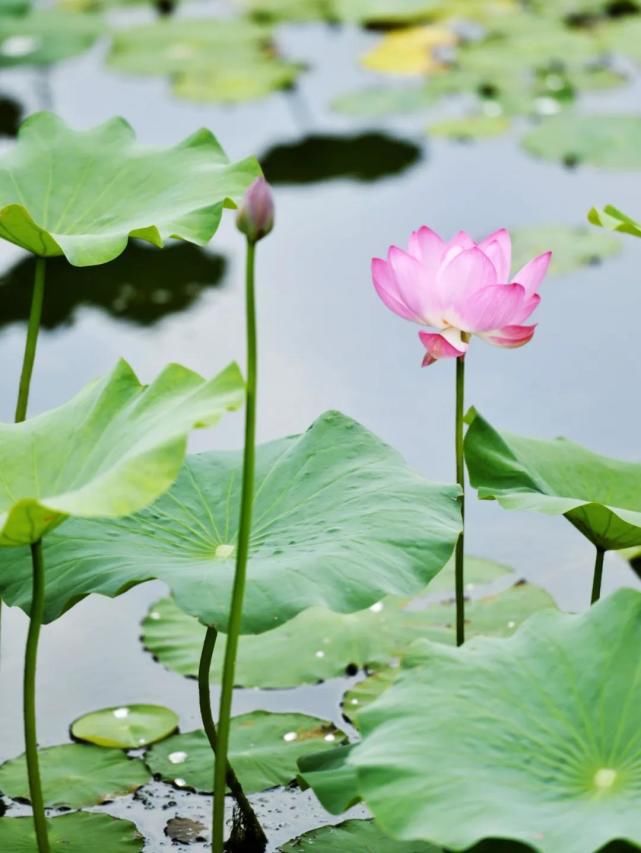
(328, 644)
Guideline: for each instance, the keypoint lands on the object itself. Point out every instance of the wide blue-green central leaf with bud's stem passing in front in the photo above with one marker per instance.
(339, 522)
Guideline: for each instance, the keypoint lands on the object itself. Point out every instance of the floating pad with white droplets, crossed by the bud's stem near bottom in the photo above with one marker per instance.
(263, 750)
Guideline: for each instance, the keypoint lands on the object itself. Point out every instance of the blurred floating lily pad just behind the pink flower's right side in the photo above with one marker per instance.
(572, 247)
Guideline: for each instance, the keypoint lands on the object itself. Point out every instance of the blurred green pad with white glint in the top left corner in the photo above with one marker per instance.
(46, 36)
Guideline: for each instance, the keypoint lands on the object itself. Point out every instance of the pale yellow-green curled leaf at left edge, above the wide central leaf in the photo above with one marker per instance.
(111, 450)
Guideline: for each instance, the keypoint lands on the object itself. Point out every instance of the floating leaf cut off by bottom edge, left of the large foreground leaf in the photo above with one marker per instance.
(357, 836)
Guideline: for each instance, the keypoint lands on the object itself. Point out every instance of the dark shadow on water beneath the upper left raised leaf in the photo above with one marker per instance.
(142, 286)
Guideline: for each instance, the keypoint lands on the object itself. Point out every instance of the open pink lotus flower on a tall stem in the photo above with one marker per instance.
(462, 288)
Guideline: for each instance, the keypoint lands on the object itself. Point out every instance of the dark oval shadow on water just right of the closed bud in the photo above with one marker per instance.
(363, 157)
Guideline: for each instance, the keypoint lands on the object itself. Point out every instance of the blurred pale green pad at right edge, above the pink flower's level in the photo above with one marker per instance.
(608, 141)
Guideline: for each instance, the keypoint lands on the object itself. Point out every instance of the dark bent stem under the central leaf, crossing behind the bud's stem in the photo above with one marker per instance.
(250, 832)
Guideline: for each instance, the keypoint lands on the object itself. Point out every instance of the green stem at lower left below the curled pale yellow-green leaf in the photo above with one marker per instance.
(29, 698)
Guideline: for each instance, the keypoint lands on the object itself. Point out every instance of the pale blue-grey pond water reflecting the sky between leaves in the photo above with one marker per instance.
(344, 191)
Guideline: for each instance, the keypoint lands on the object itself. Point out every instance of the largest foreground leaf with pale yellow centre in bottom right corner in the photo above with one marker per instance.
(535, 737)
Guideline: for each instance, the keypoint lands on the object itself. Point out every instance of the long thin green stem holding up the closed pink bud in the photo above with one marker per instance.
(238, 591)
